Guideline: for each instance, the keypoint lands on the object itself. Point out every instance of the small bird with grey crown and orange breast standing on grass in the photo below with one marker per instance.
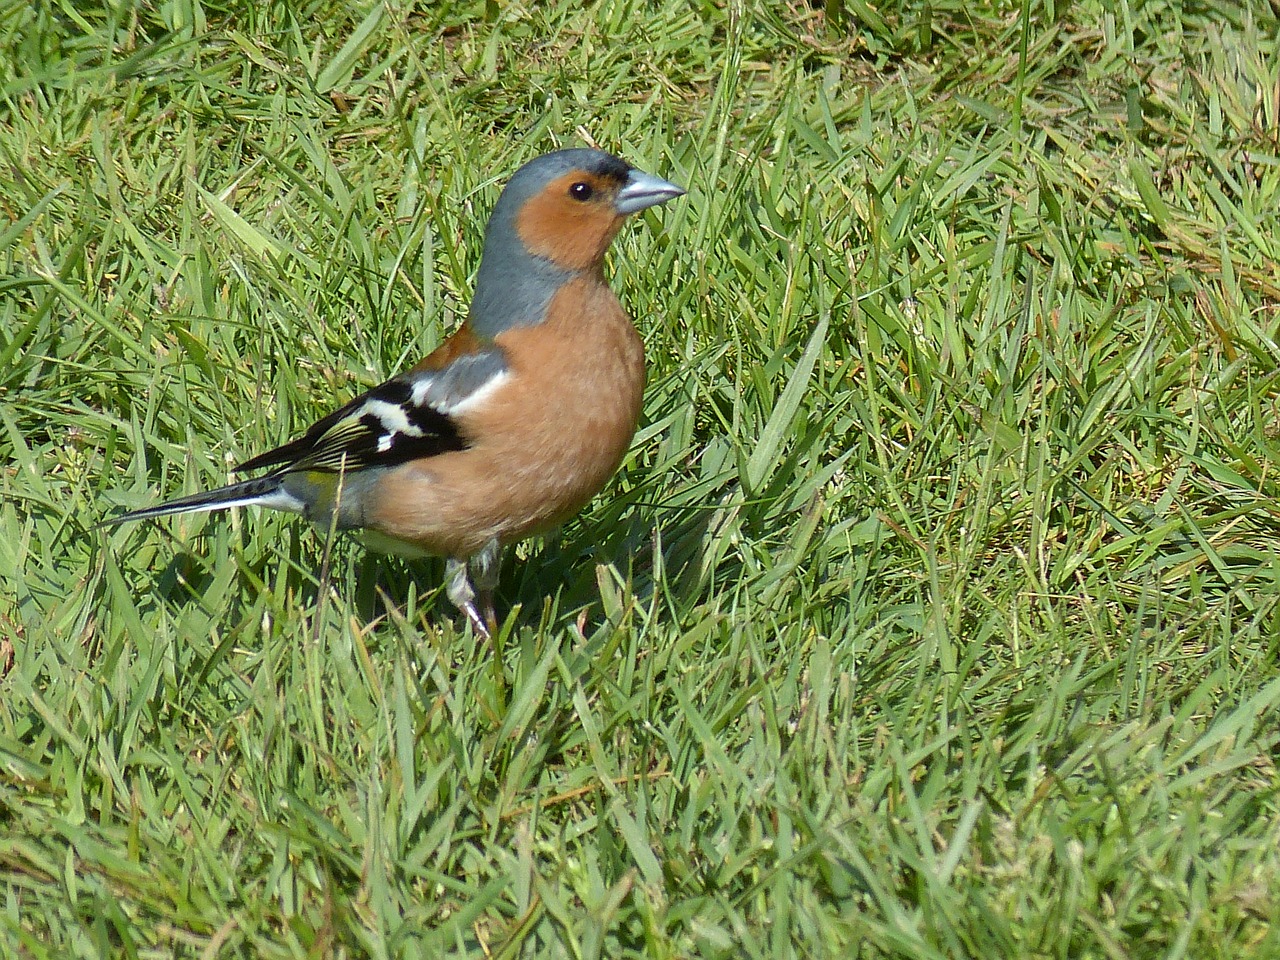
(513, 424)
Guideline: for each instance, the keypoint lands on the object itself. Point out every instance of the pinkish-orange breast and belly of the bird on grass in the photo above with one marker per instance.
(543, 445)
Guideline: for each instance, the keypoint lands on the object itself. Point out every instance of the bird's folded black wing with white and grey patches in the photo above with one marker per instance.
(408, 418)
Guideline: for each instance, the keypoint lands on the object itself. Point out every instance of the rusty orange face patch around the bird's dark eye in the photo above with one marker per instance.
(572, 234)
